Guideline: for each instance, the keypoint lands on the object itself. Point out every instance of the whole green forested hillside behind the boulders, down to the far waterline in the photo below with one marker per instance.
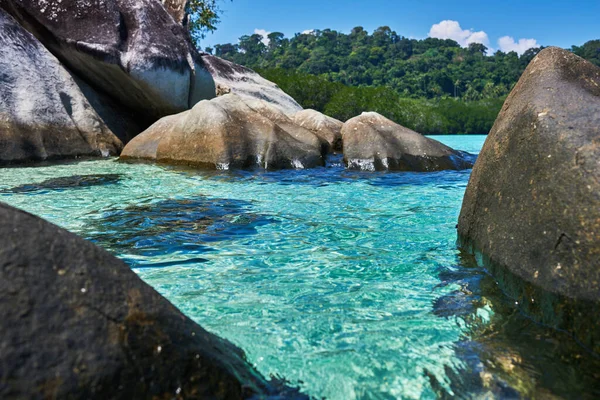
(430, 85)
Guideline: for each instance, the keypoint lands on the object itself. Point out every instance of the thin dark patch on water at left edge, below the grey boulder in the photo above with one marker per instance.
(64, 183)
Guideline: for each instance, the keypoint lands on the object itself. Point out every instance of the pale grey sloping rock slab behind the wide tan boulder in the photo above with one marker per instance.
(234, 78)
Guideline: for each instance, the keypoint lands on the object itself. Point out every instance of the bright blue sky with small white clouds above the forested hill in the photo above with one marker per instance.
(549, 22)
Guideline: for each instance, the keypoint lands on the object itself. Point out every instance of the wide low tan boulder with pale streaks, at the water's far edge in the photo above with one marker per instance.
(224, 133)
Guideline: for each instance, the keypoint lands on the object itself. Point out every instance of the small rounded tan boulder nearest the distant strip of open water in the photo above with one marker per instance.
(373, 142)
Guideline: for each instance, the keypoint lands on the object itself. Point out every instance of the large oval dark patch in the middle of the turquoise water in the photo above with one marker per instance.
(178, 228)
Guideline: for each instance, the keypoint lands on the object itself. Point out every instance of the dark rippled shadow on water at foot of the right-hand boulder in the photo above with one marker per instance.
(505, 354)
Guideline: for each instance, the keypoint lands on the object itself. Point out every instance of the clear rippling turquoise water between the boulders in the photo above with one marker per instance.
(325, 277)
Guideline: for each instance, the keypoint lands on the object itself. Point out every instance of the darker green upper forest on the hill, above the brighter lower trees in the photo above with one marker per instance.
(429, 68)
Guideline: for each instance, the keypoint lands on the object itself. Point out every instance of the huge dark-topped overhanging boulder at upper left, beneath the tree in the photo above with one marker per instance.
(135, 51)
